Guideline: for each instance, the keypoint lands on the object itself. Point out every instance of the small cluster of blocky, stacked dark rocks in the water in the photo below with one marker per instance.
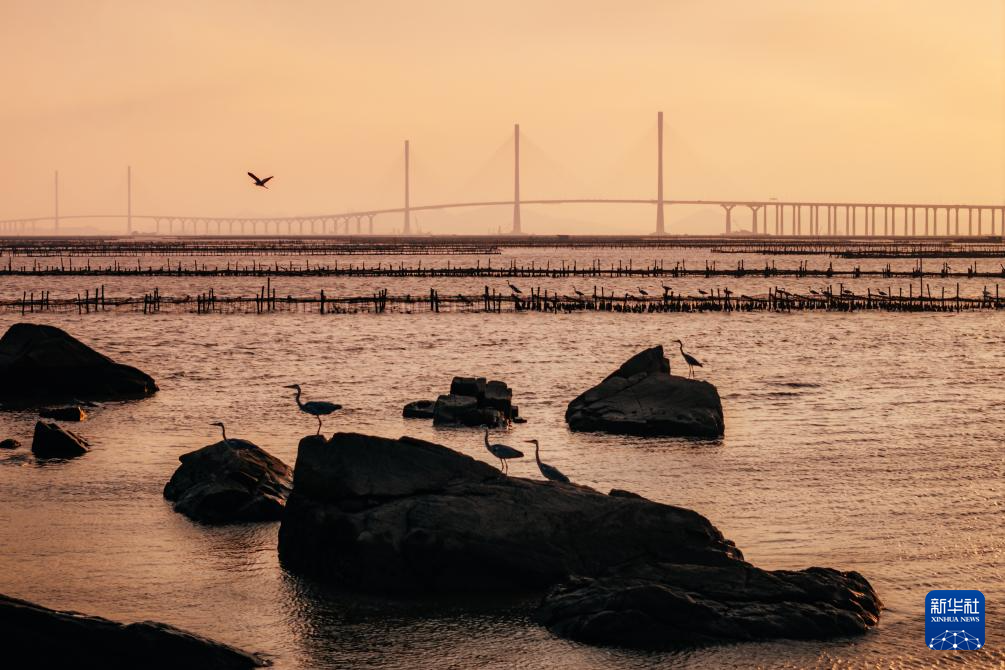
(473, 401)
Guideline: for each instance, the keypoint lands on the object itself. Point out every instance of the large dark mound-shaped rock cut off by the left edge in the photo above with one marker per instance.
(43, 363)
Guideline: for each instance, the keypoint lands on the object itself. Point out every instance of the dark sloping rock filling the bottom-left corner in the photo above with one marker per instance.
(38, 637)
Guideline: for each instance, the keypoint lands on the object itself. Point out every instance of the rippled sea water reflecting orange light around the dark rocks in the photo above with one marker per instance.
(867, 441)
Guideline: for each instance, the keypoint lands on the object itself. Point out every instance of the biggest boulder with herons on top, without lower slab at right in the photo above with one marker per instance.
(377, 515)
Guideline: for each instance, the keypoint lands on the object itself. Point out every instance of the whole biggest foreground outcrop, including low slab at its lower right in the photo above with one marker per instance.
(376, 515)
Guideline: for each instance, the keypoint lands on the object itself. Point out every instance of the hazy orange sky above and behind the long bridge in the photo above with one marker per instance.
(896, 101)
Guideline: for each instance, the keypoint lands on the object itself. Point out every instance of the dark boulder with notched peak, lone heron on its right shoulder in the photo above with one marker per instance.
(643, 398)
